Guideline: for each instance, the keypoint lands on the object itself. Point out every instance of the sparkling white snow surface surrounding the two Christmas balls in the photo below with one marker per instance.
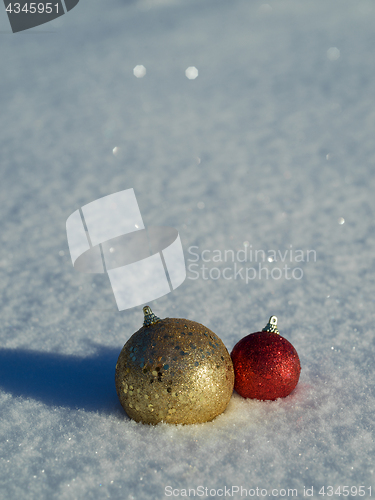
(272, 144)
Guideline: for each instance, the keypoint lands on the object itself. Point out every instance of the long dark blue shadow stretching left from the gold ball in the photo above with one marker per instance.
(62, 380)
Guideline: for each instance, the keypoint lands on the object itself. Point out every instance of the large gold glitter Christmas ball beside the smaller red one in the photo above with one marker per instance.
(174, 370)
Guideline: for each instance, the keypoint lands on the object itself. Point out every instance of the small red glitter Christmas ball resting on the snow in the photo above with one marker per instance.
(266, 366)
